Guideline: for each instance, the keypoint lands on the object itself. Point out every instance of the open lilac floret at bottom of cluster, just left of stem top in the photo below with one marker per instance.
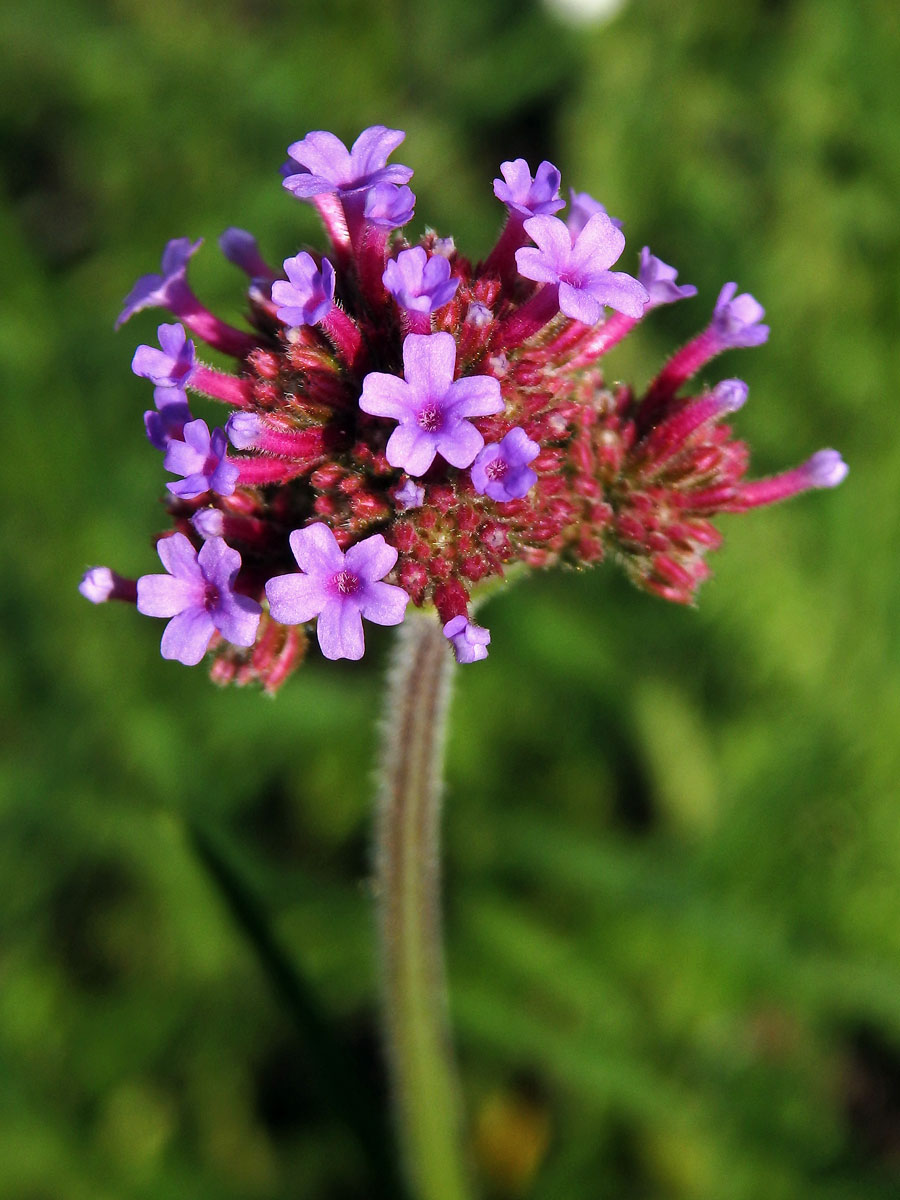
(339, 589)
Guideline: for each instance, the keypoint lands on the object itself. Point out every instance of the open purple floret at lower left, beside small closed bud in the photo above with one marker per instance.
(199, 596)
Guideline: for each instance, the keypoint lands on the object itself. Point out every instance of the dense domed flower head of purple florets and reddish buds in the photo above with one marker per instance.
(404, 427)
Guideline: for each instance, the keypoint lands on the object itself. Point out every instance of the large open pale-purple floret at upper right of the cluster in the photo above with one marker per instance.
(580, 268)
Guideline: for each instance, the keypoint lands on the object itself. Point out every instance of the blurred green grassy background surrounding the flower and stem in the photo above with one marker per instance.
(673, 836)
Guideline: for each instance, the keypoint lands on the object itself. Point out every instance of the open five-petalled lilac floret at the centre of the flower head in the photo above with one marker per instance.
(430, 406)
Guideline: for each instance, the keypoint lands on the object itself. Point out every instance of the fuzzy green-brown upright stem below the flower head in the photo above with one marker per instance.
(427, 1096)
